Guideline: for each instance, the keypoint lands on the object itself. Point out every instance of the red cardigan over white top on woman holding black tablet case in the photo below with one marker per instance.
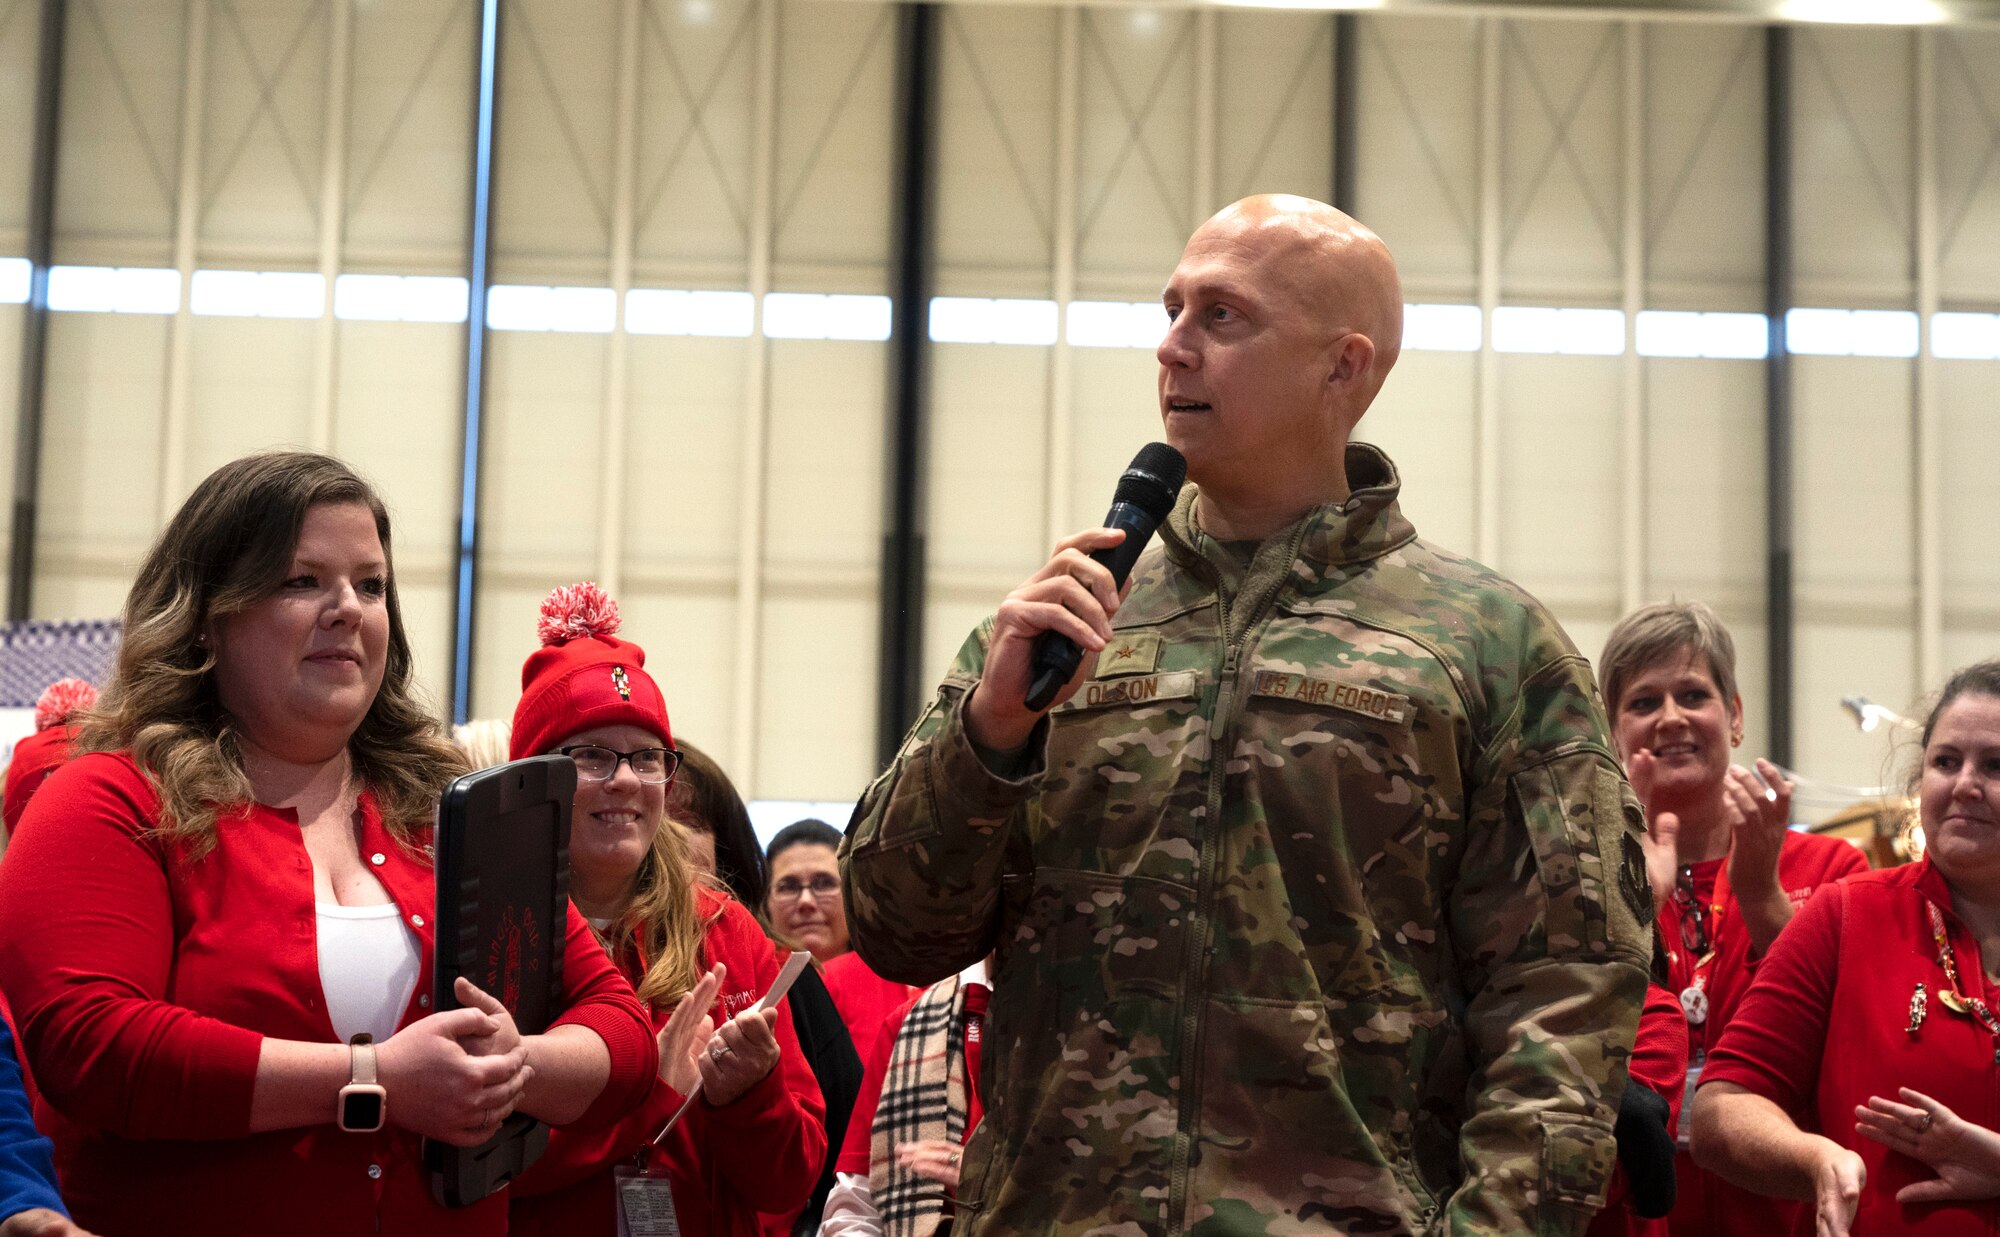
(145, 982)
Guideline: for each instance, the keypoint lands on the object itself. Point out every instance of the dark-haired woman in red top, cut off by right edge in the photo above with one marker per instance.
(1877, 1006)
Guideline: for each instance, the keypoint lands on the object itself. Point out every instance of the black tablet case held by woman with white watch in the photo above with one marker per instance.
(503, 918)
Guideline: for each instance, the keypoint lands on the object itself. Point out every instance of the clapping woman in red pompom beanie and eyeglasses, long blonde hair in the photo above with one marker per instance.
(753, 1138)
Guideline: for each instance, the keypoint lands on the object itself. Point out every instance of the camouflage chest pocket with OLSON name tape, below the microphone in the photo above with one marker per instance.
(1127, 764)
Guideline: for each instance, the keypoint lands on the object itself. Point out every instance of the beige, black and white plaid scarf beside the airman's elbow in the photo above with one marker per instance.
(923, 1098)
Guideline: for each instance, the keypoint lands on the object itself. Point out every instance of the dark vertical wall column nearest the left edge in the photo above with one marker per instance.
(35, 317)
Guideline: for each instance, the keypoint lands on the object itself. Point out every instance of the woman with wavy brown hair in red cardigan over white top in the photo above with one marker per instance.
(215, 930)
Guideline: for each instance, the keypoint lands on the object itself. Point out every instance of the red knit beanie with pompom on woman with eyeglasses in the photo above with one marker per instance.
(583, 676)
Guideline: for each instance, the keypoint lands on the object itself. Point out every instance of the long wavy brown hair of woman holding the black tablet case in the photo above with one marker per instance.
(227, 549)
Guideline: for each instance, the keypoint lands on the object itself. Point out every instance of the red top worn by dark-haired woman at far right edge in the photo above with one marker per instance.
(1827, 1026)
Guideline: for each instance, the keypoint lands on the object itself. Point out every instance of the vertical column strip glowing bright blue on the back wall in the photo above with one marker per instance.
(479, 259)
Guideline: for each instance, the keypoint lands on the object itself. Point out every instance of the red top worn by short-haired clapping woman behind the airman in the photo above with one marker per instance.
(1707, 1206)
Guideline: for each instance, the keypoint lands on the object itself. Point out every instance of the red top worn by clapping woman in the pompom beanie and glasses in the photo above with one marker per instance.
(759, 1154)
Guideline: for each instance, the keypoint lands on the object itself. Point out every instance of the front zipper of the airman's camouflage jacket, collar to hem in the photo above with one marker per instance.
(1195, 960)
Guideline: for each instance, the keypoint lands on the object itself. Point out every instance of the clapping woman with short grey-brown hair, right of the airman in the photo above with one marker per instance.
(1727, 872)
